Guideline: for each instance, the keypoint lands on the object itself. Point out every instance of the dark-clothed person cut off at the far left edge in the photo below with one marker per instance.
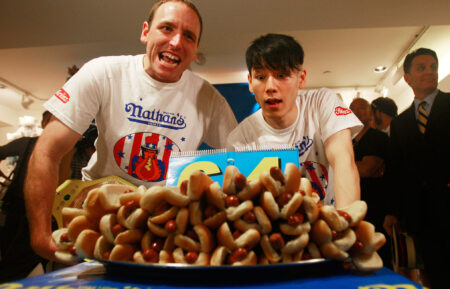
(17, 258)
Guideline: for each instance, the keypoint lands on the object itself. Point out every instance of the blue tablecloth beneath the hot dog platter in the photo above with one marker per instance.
(91, 275)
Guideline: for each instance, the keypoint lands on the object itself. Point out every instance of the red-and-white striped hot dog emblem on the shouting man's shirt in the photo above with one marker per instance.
(145, 156)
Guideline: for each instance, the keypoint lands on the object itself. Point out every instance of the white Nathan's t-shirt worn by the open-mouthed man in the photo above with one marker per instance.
(139, 118)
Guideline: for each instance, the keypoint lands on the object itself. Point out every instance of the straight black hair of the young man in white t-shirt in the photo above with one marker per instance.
(276, 52)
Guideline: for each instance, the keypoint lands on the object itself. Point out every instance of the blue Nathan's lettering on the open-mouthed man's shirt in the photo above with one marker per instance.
(154, 117)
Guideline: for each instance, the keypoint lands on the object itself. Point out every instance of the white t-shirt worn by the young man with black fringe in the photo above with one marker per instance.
(321, 114)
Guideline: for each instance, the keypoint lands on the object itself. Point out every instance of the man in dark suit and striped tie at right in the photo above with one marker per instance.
(419, 167)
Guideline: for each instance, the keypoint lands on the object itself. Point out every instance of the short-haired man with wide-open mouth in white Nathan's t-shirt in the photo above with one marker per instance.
(150, 99)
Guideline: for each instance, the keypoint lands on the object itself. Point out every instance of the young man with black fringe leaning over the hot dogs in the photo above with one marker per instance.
(315, 121)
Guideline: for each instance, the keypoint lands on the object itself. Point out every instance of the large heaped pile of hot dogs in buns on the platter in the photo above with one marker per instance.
(275, 219)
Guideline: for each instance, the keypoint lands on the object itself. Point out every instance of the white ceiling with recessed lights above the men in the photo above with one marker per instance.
(344, 40)
